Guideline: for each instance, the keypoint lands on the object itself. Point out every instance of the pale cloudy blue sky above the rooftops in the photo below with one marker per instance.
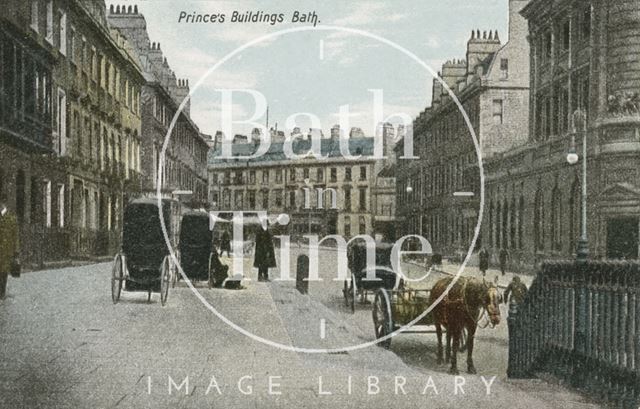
(315, 72)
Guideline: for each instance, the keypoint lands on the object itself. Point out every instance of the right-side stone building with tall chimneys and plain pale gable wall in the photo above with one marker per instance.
(439, 193)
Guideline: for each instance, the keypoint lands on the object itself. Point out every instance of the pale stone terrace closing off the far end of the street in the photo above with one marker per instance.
(277, 184)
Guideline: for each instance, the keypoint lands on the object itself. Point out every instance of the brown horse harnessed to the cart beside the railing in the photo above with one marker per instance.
(459, 309)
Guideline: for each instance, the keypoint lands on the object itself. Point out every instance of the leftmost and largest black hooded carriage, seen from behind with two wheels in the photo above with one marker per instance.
(144, 262)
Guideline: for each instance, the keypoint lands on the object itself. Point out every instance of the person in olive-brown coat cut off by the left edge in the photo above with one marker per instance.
(9, 247)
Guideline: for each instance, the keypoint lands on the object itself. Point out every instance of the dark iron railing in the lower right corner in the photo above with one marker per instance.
(581, 322)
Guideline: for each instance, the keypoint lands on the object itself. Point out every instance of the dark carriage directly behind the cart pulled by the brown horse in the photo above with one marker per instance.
(380, 276)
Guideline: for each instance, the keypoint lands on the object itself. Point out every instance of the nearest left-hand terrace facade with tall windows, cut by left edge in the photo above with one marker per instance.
(70, 147)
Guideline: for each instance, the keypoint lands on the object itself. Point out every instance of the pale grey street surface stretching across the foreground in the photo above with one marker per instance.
(64, 344)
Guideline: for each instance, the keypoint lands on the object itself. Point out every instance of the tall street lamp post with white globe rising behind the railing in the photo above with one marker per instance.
(580, 125)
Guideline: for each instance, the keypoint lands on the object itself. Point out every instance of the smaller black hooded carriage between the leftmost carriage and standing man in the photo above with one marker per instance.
(197, 254)
